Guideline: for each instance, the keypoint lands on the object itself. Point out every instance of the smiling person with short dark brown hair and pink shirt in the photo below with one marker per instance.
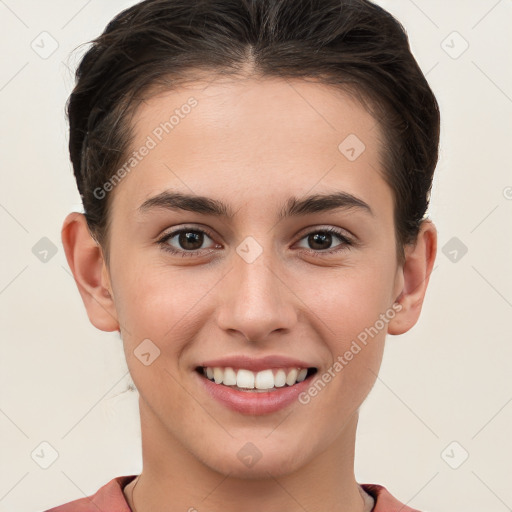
(255, 176)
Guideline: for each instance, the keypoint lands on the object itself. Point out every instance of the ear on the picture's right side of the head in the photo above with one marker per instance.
(416, 270)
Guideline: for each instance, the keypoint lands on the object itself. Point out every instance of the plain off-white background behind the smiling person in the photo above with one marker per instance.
(448, 380)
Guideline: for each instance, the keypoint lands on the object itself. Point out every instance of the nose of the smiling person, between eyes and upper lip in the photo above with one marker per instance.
(256, 299)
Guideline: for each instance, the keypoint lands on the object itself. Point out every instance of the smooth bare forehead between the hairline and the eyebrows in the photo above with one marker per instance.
(246, 140)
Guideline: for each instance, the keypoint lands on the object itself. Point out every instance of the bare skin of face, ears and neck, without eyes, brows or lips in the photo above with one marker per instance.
(252, 144)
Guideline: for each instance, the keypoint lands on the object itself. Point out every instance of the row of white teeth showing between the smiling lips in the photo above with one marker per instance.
(241, 379)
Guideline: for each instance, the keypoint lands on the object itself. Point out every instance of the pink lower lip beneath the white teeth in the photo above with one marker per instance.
(253, 402)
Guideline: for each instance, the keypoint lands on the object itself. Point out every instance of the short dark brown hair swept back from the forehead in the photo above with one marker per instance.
(352, 44)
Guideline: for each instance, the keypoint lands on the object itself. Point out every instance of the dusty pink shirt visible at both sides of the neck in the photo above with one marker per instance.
(110, 498)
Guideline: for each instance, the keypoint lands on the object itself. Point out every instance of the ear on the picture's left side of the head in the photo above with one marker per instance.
(85, 259)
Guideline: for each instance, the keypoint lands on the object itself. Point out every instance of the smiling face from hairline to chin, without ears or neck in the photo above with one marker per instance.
(258, 277)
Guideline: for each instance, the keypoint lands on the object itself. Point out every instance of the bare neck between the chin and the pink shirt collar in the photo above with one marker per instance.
(175, 480)
